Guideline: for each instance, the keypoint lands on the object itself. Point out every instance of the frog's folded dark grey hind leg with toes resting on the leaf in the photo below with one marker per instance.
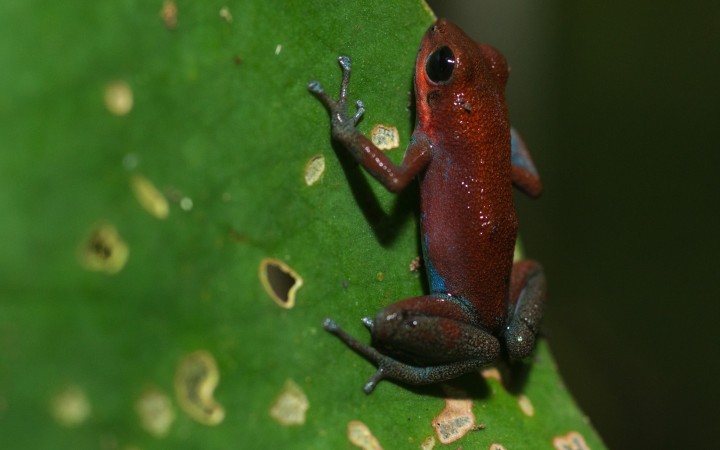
(422, 340)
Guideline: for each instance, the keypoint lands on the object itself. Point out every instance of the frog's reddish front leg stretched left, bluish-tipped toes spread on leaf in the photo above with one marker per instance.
(393, 177)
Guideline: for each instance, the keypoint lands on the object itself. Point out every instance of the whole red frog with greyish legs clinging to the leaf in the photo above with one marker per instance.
(481, 304)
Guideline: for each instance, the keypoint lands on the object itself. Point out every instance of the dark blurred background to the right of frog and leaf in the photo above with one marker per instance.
(618, 102)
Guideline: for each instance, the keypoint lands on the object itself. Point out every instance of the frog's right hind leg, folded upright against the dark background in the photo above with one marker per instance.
(527, 298)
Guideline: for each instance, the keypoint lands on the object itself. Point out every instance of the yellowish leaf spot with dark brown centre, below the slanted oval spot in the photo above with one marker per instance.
(104, 250)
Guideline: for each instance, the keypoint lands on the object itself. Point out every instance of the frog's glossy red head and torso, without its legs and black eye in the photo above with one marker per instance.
(469, 224)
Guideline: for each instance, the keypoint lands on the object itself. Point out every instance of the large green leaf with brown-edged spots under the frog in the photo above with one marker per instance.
(149, 163)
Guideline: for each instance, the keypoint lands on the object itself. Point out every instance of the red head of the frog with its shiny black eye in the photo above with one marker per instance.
(453, 73)
